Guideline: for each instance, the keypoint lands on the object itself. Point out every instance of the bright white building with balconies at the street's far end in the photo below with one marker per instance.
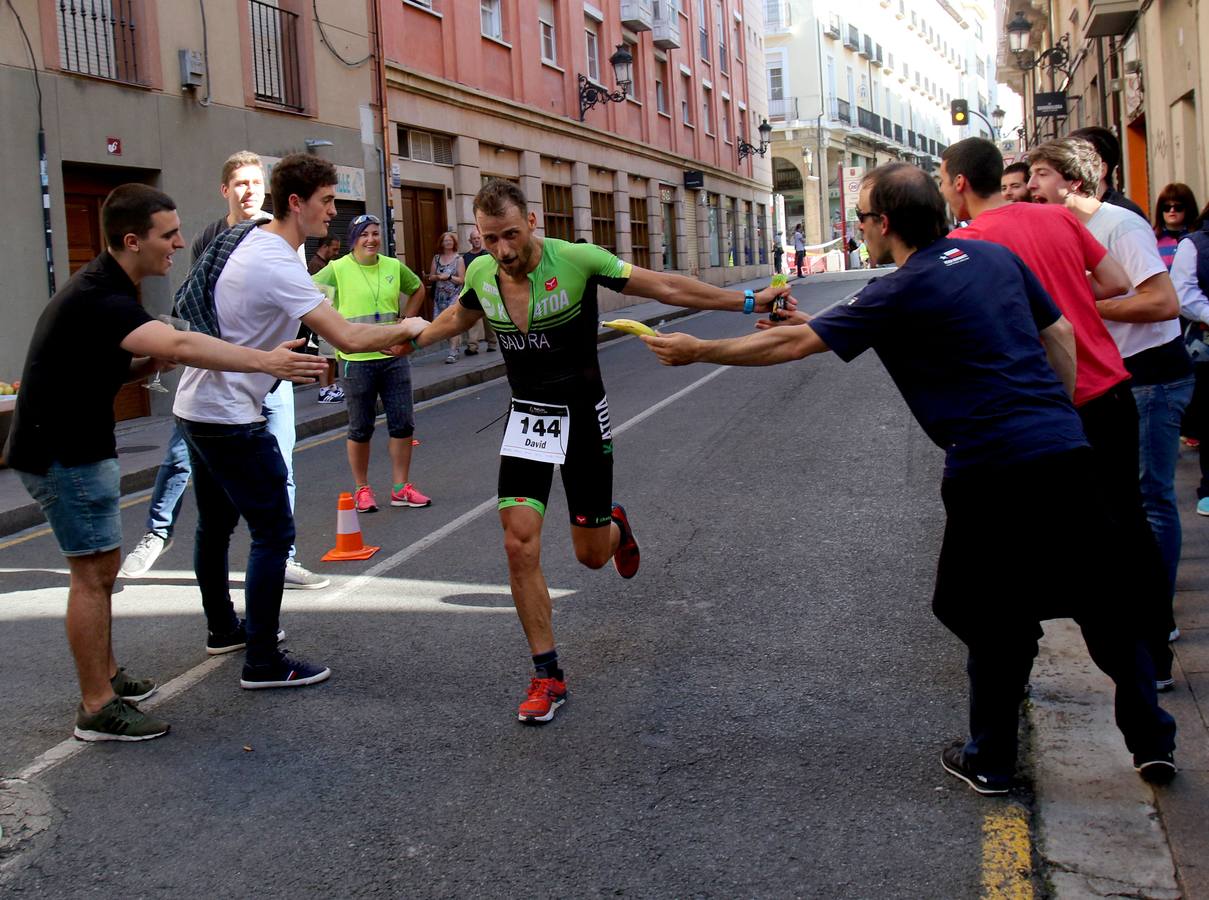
(864, 83)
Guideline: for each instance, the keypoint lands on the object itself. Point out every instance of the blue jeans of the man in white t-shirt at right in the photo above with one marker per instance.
(1160, 412)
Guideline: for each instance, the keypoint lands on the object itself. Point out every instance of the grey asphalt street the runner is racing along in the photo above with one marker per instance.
(760, 713)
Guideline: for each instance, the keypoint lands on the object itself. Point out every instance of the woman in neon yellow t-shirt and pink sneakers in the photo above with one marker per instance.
(366, 289)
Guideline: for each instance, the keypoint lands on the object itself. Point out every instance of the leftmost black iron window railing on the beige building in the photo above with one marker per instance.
(100, 38)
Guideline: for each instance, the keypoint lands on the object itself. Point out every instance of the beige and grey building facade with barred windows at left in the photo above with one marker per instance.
(163, 94)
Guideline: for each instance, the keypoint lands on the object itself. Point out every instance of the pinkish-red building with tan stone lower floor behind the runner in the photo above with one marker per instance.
(488, 89)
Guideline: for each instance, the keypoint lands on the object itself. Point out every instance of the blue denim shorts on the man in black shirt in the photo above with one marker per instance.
(80, 504)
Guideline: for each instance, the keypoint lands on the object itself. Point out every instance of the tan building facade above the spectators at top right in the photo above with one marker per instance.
(1132, 67)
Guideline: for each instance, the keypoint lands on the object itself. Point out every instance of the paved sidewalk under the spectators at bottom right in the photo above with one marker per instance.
(1101, 829)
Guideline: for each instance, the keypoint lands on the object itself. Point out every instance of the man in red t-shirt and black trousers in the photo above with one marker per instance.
(1061, 252)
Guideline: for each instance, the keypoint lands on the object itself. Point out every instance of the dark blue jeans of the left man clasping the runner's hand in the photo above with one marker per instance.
(240, 472)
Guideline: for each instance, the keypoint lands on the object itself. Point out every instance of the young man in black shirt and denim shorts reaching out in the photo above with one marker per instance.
(92, 338)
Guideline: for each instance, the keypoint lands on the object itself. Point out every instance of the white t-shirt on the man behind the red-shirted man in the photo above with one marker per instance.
(1130, 241)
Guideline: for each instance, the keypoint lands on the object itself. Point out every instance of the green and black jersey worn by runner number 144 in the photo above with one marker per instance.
(554, 357)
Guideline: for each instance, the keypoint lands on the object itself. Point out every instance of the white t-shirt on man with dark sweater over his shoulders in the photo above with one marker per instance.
(261, 296)
